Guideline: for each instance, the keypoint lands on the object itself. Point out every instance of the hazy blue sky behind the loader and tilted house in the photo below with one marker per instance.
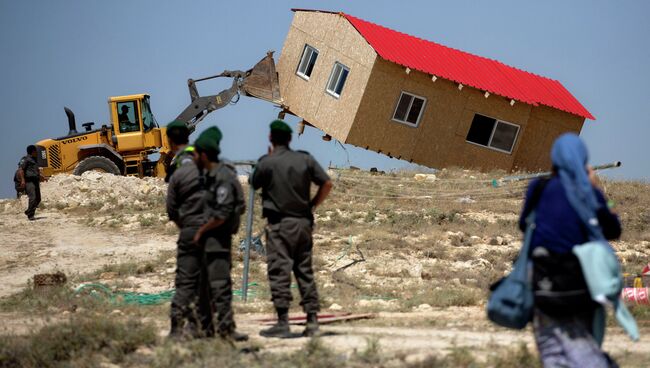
(78, 53)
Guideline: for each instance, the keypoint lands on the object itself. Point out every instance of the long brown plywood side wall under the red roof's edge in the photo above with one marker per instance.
(440, 138)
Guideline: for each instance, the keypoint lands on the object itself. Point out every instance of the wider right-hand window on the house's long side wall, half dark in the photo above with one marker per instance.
(493, 133)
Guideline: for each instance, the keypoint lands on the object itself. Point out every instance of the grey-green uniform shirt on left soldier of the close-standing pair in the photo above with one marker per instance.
(185, 196)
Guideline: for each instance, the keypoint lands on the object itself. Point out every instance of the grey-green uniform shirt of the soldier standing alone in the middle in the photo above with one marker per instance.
(285, 178)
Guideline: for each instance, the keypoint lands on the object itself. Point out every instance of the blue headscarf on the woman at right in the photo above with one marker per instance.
(569, 155)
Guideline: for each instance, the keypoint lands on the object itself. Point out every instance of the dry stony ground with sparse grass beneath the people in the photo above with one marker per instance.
(418, 251)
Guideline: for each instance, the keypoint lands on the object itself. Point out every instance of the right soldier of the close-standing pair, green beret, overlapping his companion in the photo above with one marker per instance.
(223, 207)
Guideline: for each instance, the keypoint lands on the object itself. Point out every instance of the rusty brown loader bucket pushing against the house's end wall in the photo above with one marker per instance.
(262, 81)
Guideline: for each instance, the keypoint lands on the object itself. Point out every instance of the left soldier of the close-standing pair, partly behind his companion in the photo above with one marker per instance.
(191, 315)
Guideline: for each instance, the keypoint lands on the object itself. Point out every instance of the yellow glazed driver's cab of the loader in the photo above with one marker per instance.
(134, 125)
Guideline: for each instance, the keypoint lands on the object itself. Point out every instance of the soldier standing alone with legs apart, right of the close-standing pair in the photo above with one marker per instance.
(285, 177)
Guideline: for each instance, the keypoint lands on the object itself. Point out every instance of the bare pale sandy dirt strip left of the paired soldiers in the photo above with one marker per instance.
(56, 242)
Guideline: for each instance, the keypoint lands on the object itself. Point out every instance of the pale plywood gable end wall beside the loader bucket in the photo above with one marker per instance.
(336, 40)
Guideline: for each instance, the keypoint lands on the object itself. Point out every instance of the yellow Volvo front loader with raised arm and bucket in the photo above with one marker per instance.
(125, 145)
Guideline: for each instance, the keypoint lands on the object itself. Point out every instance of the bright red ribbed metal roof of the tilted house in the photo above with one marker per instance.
(465, 68)
